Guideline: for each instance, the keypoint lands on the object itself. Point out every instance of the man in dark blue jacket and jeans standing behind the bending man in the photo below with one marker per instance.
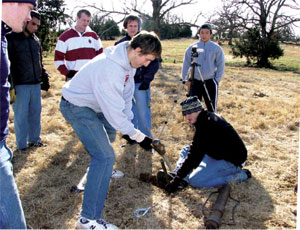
(144, 75)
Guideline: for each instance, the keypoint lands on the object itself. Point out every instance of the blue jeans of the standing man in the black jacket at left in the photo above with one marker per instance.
(27, 114)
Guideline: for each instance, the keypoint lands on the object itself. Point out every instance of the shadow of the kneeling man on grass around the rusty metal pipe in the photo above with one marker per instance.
(253, 200)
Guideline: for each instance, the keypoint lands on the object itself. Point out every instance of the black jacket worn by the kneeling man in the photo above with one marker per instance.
(215, 137)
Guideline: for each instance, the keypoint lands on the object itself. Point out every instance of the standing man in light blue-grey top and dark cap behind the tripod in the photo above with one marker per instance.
(211, 63)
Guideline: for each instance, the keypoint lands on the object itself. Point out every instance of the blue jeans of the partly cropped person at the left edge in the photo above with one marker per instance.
(11, 211)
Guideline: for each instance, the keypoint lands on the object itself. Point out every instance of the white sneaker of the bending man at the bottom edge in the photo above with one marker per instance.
(84, 223)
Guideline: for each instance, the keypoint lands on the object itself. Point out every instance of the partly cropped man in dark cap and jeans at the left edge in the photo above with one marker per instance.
(15, 14)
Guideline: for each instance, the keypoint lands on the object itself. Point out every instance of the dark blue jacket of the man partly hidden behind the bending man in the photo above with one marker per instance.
(143, 74)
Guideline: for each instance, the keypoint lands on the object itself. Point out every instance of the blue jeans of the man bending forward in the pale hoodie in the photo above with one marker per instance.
(96, 134)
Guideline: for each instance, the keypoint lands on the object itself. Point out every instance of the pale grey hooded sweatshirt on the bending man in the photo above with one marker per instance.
(105, 84)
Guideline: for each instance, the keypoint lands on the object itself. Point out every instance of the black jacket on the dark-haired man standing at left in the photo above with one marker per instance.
(25, 56)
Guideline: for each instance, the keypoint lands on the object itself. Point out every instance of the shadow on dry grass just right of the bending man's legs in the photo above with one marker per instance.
(129, 193)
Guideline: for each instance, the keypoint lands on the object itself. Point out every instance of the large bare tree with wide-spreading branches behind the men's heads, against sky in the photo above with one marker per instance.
(161, 10)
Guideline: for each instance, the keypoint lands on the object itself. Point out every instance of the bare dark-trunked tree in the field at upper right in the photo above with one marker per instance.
(268, 17)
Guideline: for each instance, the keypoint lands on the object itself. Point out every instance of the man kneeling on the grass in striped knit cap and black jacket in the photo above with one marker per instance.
(215, 156)
